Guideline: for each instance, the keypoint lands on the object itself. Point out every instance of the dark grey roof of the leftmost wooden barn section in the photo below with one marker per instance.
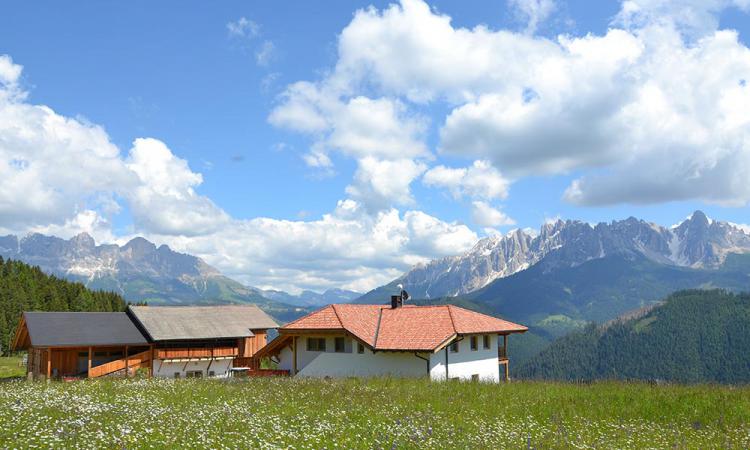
(82, 329)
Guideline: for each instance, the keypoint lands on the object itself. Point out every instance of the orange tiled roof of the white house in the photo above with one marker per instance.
(408, 328)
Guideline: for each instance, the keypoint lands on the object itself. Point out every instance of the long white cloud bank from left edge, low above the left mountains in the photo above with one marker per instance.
(62, 176)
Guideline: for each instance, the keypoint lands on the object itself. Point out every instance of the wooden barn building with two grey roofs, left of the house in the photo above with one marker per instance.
(178, 341)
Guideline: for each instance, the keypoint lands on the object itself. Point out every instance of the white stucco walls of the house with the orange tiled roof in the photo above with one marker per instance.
(462, 365)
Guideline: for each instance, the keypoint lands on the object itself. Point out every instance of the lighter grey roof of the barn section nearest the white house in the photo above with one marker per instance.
(167, 323)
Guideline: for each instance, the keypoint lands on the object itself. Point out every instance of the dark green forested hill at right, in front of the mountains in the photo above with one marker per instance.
(695, 336)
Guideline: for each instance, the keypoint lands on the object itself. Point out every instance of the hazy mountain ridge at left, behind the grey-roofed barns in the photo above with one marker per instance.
(139, 271)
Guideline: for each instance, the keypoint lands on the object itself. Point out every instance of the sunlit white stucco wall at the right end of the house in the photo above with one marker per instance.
(467, 362)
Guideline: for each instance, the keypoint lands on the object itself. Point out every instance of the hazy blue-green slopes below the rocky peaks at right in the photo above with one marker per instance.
(557, 300)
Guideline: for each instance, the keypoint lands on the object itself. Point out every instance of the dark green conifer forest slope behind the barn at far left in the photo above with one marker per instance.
(27, 288)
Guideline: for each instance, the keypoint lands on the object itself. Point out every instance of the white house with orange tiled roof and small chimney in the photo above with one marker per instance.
(442, 342)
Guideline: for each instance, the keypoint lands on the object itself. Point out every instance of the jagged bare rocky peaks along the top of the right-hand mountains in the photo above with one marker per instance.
(697, 242)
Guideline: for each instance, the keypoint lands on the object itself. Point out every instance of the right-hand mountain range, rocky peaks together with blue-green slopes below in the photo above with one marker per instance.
(572, 273)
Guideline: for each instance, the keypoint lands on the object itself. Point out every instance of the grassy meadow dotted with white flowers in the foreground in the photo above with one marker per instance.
(378, 413)
